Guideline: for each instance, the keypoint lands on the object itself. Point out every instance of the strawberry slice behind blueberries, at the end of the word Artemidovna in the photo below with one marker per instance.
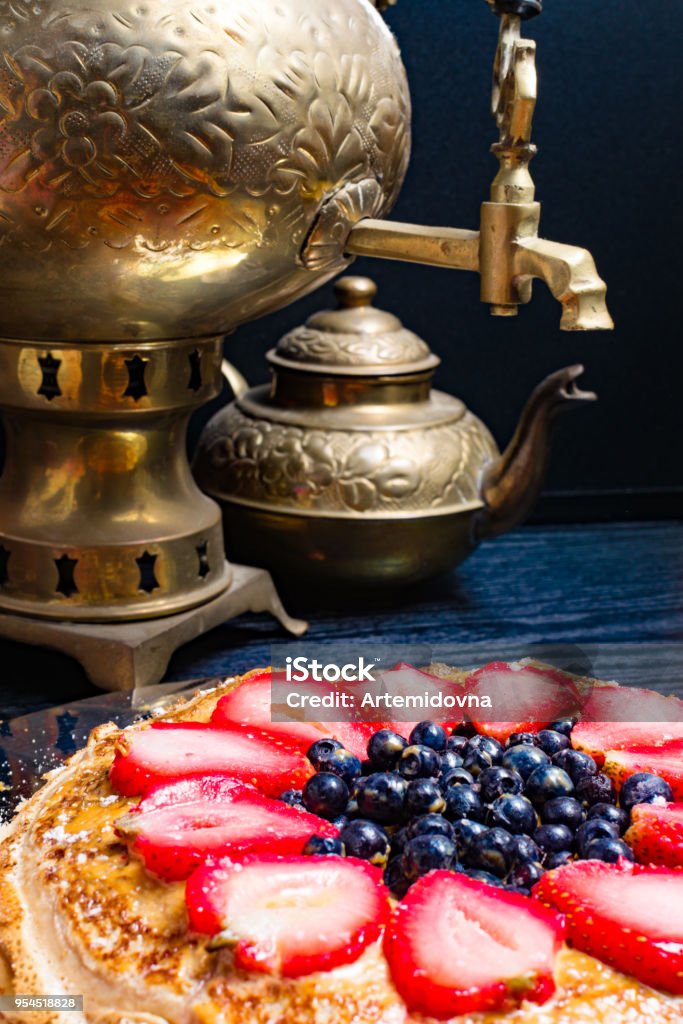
(523, 698)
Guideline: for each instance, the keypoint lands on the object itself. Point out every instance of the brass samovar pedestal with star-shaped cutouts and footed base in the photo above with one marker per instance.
(109, 551)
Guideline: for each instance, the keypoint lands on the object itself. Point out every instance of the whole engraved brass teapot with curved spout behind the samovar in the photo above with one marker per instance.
(350, 468)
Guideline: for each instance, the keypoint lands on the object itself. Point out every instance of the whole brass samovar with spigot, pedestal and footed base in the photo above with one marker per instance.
(169, 172)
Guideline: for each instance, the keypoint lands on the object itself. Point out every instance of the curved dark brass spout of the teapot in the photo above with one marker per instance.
(510, 486)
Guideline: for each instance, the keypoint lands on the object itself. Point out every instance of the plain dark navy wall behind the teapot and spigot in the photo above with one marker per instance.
(609, 132)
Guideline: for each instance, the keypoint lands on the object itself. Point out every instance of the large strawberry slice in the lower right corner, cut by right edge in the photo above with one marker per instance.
(627, 915)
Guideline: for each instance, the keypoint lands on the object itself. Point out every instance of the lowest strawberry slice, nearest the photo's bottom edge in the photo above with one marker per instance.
(460, 947)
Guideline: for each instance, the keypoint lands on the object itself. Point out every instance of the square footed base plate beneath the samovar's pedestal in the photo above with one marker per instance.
(131, 655)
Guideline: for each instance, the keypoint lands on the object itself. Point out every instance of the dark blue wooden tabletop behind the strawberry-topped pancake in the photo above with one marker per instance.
(591, 592)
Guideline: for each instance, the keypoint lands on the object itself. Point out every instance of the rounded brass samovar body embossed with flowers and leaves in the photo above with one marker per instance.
(163, 163)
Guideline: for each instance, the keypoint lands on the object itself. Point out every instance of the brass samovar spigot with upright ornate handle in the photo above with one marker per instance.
(506, 251)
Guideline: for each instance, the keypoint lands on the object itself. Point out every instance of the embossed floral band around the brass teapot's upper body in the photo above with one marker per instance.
(287, 467)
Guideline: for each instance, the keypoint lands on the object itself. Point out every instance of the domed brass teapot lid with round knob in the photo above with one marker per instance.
(355, 339)
